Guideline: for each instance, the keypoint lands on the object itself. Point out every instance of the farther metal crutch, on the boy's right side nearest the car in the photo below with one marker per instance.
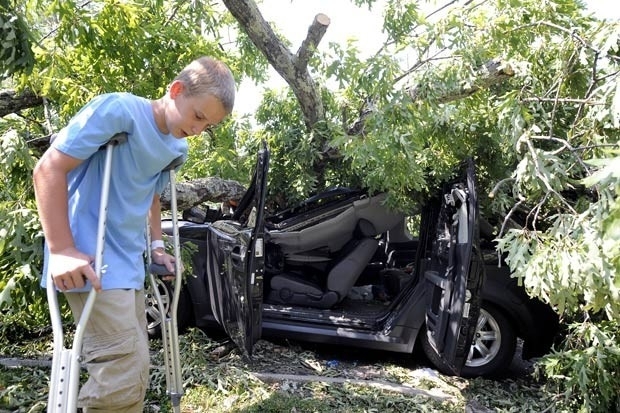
(169, 326)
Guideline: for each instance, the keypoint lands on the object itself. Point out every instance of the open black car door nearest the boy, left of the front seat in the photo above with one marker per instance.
(235, 263)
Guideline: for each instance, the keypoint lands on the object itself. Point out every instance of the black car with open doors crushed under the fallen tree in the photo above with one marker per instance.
(342, 268)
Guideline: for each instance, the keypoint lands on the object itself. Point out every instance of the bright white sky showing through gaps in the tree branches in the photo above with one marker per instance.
(293, 17)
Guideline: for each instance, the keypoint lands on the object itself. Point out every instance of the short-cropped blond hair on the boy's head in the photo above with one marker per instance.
(208, 76)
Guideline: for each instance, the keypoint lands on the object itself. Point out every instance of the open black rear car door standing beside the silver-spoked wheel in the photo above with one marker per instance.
(454, 272)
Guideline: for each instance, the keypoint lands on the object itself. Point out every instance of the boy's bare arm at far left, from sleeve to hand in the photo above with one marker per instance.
(67, 265)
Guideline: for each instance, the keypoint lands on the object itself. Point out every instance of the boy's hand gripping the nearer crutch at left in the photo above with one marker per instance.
(71, 268)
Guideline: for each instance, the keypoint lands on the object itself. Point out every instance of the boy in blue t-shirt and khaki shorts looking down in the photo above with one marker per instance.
(67, 182)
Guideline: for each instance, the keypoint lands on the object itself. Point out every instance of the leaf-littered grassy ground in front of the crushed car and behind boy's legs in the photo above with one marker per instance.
(216, 381)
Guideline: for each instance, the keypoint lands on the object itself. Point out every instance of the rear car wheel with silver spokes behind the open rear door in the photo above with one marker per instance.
(492, 349)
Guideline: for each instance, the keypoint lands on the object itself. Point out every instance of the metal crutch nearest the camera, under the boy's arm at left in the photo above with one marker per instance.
(65, 378)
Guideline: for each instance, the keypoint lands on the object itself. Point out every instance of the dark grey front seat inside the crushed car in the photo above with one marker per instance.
(293, 289)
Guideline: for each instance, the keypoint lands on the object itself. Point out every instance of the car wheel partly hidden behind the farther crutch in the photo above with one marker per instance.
(153, 313)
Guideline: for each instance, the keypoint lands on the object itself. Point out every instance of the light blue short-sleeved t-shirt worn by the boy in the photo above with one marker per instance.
(137, 166)
